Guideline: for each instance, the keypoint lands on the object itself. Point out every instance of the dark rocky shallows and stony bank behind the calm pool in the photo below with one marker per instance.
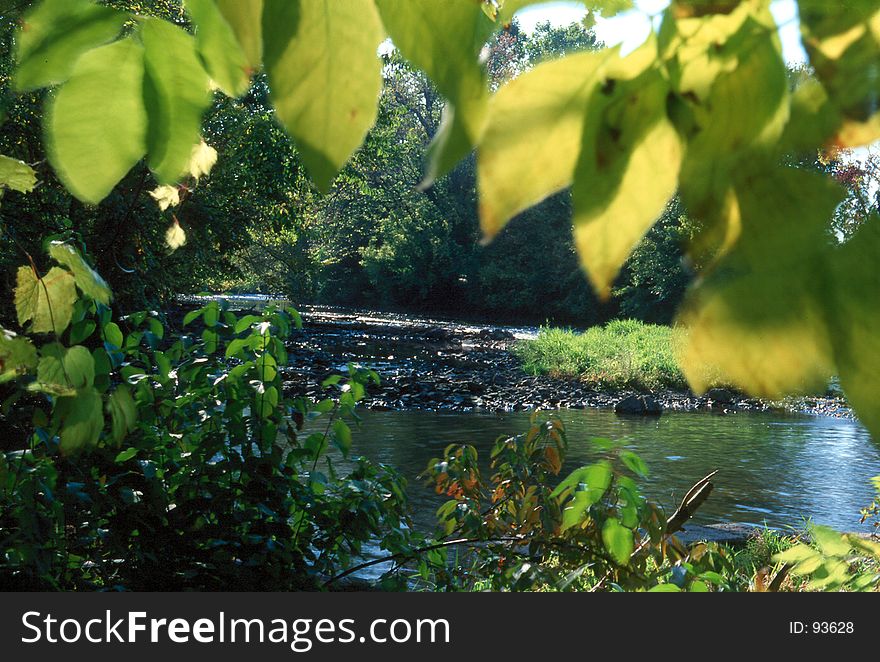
(441, 365)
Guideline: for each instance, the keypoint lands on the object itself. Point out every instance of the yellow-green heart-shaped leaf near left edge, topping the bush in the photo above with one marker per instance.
(47, 301)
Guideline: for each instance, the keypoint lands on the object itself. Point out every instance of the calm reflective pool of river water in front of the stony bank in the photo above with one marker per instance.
(773, 469)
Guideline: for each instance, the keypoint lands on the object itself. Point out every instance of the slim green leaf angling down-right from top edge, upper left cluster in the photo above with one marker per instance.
(219, 48)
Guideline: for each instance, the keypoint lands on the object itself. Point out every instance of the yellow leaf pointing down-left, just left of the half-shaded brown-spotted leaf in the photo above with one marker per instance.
(544, 109)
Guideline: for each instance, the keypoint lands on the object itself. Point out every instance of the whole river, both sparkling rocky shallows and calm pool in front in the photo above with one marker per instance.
(445, 381)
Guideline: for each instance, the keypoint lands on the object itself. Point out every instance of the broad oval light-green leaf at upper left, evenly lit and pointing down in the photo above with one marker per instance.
(96, 124)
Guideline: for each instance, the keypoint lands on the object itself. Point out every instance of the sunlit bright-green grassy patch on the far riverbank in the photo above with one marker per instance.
(622, 354)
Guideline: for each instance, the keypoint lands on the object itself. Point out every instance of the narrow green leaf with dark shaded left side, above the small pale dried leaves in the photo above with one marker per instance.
(176, 94)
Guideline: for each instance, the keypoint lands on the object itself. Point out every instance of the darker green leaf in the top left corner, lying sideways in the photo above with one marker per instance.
(55, 34)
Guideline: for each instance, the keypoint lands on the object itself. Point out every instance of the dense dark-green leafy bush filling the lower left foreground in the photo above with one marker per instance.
(160, 462)
